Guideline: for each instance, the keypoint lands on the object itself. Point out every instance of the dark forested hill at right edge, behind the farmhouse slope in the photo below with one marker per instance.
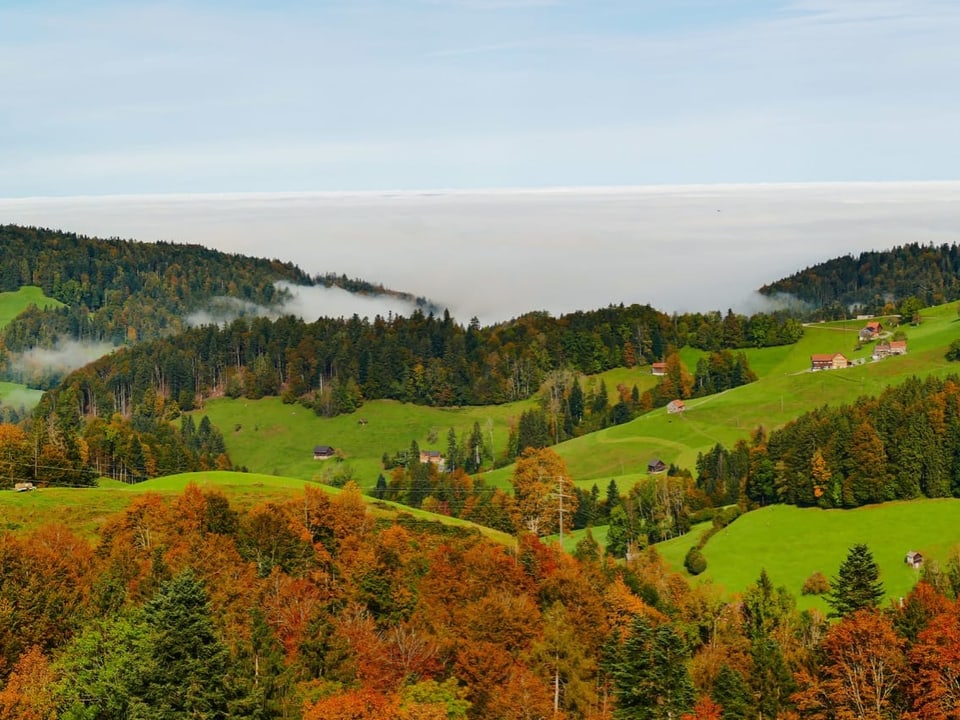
(918, 275)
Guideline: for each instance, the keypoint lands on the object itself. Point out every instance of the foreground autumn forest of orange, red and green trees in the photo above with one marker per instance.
(311, 608)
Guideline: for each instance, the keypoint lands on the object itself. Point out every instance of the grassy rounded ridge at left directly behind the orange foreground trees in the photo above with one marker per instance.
(85, 509)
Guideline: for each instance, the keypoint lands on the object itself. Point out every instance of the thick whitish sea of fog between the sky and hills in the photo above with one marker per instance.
(498, 254)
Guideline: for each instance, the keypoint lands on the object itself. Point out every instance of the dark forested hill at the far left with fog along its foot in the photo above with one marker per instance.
(122, 291)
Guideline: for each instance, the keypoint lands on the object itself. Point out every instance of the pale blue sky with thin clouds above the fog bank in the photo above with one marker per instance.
(132, 97)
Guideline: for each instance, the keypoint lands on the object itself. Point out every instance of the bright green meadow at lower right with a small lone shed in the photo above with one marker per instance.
(793, 543)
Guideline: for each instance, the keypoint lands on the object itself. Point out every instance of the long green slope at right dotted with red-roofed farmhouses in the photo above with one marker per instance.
(785, 389)
